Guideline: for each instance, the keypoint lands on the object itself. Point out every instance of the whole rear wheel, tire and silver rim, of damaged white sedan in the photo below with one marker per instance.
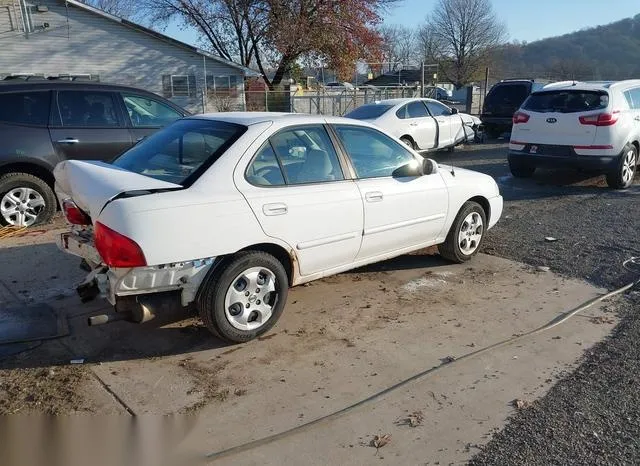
(244, 297)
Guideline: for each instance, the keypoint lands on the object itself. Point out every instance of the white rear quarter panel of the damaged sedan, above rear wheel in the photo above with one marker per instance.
(209, 219)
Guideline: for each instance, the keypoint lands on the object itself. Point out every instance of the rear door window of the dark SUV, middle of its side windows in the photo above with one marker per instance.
(87, 109)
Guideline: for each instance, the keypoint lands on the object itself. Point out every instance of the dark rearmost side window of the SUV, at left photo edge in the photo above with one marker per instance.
(25, 108)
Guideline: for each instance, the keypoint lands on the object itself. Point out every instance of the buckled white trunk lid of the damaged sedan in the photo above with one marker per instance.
(92, 185)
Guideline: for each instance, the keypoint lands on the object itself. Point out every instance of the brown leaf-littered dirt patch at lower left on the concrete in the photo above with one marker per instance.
(49, 390)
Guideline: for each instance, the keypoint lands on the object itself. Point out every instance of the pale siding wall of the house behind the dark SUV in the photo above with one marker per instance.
(86, 43)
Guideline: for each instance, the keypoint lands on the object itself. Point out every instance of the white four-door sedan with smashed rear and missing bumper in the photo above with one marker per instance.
(227, 211)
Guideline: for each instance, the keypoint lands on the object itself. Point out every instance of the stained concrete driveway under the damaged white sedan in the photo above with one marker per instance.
(340, 341)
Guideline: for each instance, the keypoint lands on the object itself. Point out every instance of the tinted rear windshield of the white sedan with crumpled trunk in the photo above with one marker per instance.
(182, 151)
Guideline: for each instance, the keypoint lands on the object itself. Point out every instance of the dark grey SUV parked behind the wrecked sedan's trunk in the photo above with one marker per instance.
(45, 122)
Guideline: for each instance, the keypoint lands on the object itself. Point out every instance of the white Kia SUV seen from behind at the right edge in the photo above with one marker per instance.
(585, 125)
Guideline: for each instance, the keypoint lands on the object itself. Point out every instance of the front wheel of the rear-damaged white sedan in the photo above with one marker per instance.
(466, 234)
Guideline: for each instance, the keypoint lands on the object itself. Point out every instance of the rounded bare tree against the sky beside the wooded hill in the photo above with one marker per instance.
(460, 34)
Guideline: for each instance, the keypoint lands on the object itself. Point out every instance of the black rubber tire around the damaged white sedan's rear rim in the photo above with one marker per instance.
(211, 299)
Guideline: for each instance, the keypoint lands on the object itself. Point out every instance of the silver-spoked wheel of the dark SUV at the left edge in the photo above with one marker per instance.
(25, 200)
